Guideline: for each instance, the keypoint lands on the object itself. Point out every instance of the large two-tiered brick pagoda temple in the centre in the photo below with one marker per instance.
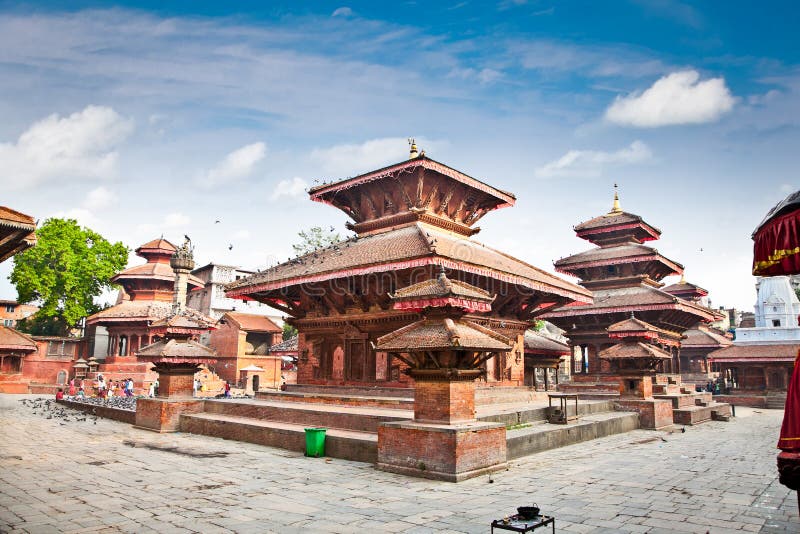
(410, 219)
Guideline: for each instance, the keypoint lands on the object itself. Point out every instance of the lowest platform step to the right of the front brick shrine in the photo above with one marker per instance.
(544, 436)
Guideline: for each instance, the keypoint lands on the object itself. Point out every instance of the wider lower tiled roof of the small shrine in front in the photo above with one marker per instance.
(443, 334)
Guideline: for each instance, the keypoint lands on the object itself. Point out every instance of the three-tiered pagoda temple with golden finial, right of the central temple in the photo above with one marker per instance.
(625, 277)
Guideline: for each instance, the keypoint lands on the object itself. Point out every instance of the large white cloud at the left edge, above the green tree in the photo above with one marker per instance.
(82, 145)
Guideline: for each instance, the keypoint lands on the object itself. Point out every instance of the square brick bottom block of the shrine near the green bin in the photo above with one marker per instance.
(440, 451)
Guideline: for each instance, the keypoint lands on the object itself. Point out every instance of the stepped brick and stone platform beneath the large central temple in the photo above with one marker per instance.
(279, 419)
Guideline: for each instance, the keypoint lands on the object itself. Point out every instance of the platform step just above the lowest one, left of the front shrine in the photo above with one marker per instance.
(339, 417)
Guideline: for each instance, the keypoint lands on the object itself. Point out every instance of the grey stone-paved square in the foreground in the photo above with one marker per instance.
(85, 476)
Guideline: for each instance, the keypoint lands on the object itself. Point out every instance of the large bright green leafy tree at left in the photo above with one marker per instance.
(65, 271)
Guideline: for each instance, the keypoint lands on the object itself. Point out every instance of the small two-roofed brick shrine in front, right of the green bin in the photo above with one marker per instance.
(444, 354)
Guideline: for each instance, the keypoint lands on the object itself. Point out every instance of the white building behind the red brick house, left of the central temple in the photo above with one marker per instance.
(212, 301)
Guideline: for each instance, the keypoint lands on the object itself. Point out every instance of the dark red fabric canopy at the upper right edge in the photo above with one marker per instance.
(776, 250)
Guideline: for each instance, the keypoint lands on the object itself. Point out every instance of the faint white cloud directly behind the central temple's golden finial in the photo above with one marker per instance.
(342, 160)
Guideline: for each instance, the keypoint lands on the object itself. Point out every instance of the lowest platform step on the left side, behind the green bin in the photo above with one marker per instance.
(344, 444)
